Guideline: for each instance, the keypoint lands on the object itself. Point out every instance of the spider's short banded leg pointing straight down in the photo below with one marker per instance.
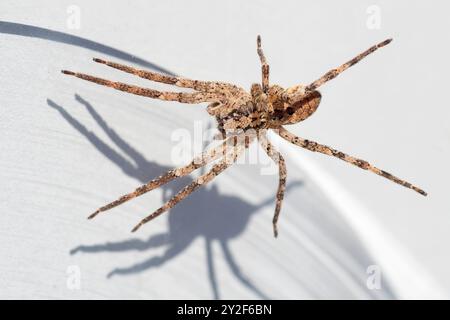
(279, 160)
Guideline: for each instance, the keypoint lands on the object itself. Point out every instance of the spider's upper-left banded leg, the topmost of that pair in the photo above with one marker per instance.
(177, 81)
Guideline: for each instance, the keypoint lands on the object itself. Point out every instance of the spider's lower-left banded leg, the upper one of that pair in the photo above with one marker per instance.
(198, 162)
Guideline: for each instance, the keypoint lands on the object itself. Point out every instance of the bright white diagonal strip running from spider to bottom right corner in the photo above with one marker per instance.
(408, 279)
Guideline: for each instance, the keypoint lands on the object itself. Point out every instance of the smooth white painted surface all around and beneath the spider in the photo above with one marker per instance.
(68, 147)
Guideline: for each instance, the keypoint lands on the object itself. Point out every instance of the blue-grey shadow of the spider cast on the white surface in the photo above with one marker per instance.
(206, 213)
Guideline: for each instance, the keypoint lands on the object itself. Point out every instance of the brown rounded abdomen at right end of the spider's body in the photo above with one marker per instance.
(297, 105)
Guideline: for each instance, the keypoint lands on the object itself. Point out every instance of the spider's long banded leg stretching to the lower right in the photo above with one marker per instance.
(316, 147)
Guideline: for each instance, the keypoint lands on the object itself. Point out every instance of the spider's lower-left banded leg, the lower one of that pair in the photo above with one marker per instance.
(196, 184)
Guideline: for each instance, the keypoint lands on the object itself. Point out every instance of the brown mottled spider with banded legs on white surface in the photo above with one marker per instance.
(241, 117)
